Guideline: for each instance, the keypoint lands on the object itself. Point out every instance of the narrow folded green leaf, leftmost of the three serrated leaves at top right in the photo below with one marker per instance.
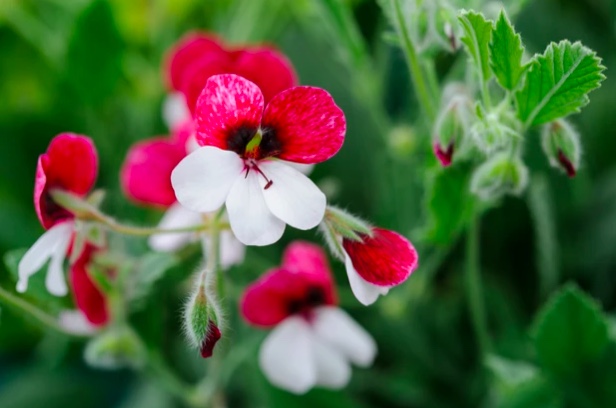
(477, 35)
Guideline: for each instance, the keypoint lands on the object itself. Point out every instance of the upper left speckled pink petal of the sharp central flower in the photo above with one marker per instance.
(228, 104)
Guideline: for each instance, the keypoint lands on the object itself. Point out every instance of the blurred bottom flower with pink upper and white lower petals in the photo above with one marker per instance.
(313, 342)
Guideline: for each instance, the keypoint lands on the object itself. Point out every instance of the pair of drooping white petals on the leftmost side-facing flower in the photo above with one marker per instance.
(52, 244)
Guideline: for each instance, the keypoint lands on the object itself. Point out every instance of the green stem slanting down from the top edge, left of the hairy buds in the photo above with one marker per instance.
(420, 82)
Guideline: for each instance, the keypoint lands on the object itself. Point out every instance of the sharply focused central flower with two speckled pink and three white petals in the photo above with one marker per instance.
(246, 149)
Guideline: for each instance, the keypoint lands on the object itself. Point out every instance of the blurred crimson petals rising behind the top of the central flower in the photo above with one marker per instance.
(198, 56)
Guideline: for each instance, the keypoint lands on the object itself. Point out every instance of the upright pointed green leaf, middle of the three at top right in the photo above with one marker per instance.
(506, 52)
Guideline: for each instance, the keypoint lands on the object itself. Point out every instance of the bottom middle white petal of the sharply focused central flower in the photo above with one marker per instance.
(251, 221)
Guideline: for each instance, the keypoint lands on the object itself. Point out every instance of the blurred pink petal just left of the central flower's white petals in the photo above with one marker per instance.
(146, 173)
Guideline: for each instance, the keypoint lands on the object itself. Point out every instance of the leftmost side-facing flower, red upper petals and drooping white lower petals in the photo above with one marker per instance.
(70, 164)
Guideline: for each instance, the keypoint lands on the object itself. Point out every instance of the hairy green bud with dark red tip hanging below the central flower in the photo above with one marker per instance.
(202, 319)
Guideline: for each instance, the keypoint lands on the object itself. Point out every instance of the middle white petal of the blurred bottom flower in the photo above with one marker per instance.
(333, 370)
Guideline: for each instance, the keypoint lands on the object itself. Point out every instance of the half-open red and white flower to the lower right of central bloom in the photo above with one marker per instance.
(377, 263)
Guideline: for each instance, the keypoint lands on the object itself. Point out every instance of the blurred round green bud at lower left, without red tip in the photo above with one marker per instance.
(116, 348)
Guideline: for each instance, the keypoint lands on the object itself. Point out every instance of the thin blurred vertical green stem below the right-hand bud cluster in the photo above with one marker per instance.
(474, 288)
